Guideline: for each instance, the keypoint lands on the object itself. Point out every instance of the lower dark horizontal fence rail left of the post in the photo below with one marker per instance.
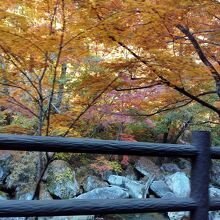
(16, 208)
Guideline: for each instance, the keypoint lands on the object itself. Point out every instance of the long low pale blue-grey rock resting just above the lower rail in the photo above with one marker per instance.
(113, 192)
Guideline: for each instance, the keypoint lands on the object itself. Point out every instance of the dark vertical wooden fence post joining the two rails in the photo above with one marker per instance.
(200, 174)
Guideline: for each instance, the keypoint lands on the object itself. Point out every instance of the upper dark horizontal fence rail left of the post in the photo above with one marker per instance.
(77, 145)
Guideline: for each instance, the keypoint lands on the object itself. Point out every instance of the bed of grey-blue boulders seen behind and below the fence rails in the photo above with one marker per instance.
(144, 178)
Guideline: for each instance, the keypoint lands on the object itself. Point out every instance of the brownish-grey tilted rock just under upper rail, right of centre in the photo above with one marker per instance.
(147, 168)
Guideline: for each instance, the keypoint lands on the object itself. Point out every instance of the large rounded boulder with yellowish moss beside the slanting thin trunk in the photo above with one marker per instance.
(61, 181)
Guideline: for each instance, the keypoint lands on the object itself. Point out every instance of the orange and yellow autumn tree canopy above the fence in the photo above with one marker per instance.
(104, 68)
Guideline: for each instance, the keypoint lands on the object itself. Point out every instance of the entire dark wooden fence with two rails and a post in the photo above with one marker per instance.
(198, 204)
